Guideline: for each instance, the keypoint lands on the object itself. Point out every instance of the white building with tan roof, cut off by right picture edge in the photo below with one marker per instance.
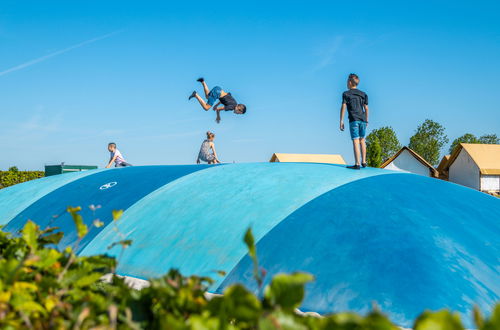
(476, 166)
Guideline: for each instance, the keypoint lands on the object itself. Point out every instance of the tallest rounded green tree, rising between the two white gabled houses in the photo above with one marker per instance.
(428, 140)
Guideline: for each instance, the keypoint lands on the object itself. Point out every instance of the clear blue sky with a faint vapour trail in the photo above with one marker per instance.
(75, 75)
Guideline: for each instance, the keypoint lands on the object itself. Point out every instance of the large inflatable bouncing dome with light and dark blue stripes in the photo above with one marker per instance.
(405, 241)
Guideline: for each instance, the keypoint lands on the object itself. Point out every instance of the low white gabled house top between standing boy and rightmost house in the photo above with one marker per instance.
(407, 160)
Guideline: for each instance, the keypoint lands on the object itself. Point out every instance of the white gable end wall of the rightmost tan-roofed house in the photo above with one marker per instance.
(464, 171)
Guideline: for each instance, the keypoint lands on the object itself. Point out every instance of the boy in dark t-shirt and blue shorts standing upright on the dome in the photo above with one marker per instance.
(356, 103)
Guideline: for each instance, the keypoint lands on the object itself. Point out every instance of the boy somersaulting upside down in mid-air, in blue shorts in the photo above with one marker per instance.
(226, 99)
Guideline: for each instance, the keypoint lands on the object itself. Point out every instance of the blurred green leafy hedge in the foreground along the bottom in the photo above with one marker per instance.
(43, 288)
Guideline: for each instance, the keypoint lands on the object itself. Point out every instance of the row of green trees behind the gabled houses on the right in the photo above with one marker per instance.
(428, 141)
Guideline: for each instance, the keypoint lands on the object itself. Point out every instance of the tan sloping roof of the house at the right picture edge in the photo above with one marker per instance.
(486, 156)
